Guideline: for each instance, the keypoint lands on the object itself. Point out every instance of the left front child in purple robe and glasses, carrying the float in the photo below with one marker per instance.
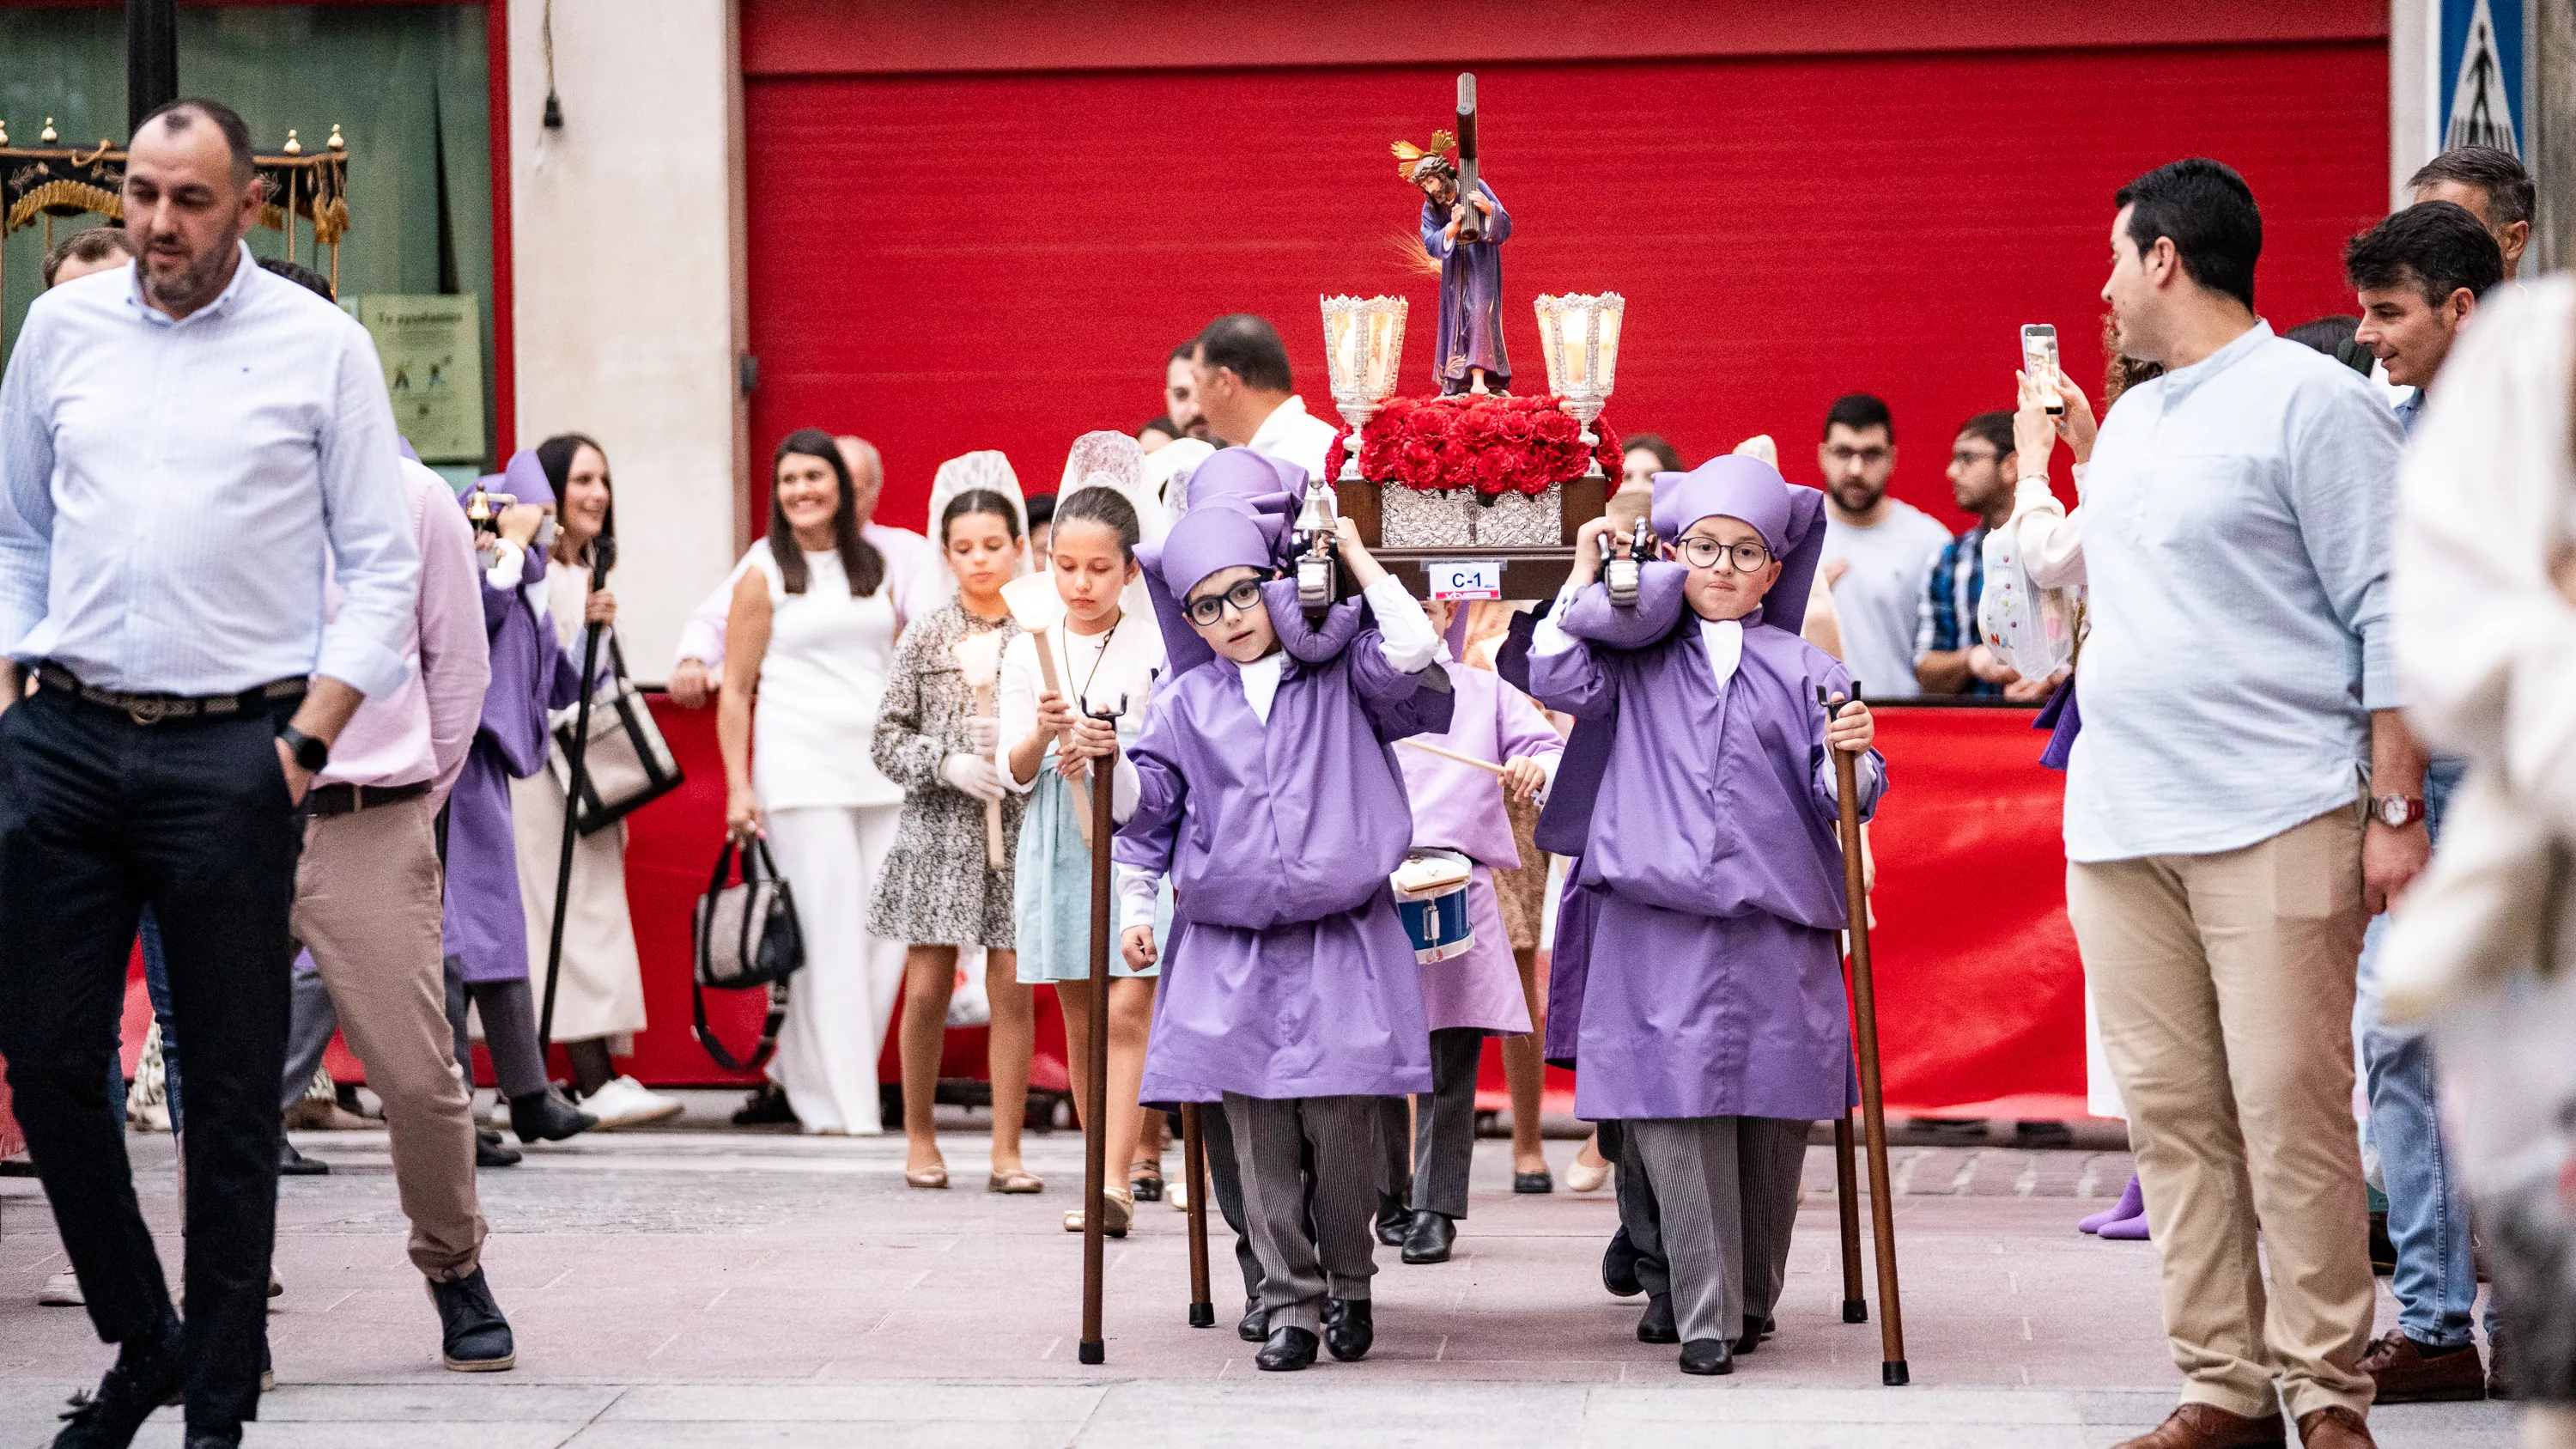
(1266, 788)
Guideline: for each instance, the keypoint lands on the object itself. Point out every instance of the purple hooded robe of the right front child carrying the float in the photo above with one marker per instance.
(1712, 971)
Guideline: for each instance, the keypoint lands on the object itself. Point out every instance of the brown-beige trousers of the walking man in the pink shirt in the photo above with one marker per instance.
(367, 909)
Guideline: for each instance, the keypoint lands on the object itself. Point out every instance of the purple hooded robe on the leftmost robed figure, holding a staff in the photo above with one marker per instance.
(486, 924)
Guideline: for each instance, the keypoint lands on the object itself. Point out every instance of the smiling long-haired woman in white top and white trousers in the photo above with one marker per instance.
(813, 628)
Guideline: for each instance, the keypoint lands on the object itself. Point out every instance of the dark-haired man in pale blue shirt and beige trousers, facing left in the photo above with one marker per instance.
(2240, 715)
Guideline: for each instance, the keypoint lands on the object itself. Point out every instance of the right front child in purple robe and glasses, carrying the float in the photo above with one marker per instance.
(1712, 1017)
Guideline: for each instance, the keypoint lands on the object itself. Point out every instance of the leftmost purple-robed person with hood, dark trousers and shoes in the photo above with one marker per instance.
(486, 917)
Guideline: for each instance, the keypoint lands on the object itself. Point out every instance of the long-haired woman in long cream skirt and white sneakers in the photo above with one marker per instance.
(599, 1002)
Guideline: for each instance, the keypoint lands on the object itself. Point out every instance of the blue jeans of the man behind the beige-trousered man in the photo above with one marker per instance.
(2428, 1216)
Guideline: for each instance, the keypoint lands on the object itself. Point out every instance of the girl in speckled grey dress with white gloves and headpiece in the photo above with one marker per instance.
(949, 880)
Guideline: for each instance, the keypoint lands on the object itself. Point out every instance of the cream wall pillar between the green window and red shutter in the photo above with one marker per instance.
(627, 275)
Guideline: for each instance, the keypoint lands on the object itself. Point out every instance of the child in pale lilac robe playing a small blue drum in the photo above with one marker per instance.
(1477, 994)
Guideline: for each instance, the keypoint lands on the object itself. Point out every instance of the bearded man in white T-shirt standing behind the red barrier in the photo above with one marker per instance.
(1877, 550)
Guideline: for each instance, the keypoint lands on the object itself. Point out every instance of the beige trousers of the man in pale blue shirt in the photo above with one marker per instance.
(2224, 989)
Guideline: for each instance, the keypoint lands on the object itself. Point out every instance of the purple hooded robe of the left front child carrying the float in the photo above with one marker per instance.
(1289, 971)
